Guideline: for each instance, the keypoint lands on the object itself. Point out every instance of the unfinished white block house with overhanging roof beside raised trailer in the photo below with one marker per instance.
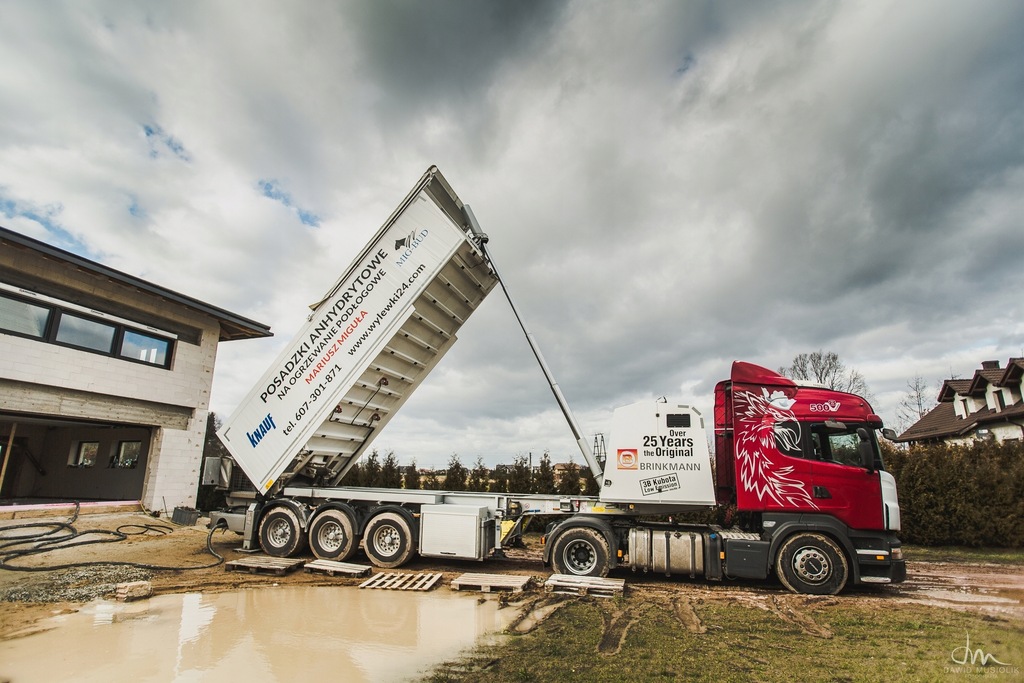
(105, 380)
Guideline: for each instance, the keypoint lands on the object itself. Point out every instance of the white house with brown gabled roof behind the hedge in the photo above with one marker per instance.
(986, 407)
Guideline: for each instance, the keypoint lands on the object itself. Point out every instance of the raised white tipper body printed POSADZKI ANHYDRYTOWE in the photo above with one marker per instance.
(373, 339)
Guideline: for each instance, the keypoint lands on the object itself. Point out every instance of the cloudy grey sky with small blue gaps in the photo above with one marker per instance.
(668, 187)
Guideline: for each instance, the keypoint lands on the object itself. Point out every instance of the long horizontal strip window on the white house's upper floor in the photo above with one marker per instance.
(59, 324)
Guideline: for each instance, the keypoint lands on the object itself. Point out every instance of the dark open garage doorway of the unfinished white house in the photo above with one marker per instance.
(49, 460)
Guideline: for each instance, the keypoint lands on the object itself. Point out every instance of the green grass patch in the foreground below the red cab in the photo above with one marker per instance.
(870, 643)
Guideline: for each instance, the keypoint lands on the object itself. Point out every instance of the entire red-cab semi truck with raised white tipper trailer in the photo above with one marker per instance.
(798, 464)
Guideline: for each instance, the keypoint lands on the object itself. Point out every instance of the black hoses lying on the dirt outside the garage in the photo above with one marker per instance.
(49, 537)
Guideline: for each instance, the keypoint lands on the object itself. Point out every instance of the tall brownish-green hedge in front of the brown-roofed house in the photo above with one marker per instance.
(961, 495)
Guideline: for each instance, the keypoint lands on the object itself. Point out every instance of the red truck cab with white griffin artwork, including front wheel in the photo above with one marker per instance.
(802, 466)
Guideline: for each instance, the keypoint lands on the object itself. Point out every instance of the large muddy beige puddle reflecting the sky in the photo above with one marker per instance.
(342, 634)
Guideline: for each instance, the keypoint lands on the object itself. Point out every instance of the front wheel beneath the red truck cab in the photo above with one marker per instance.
(813, 564)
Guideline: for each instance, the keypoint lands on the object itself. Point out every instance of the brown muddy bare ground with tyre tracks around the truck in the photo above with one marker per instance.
(29, 597)
